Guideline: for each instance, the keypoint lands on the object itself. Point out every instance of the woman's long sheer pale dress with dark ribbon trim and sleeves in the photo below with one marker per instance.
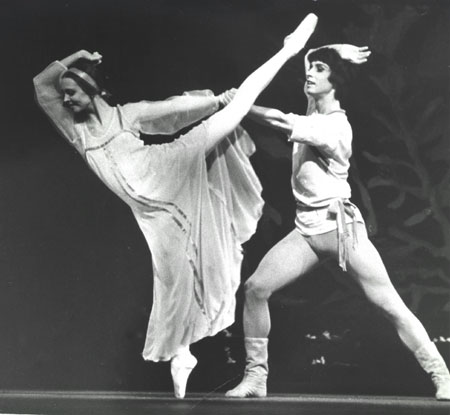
(194, 211)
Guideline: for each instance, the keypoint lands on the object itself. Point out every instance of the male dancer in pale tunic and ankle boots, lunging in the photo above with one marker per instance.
(324, 217)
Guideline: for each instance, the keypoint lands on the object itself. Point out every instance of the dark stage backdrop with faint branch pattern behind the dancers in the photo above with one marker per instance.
(75, 273)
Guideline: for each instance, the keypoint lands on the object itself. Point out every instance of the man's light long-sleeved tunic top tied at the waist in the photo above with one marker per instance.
(320, 163)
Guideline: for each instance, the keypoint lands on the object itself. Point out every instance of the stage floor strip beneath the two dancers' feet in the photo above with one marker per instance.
(110, 403)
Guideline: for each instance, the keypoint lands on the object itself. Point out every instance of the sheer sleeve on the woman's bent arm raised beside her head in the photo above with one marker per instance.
(49, 98)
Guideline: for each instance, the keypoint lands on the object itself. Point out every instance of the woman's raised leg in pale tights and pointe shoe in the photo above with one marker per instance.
(226, 120)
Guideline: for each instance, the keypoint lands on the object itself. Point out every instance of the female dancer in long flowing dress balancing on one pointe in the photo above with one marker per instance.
(196, 199)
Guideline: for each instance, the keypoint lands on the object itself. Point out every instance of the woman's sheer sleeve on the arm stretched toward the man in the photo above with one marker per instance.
(173, 114)
